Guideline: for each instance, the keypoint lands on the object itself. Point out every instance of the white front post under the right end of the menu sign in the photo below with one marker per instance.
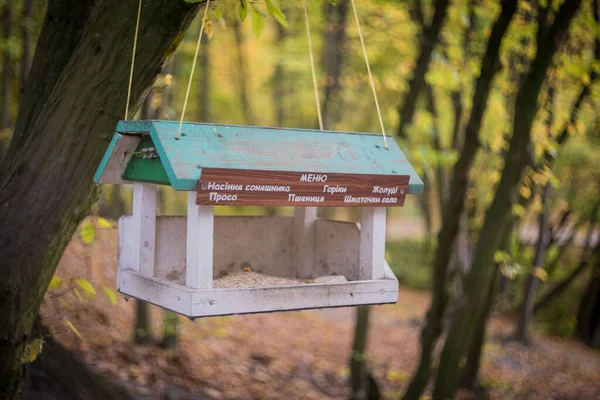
(372, 243)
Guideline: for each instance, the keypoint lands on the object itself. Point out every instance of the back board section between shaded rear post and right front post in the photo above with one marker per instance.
(337, 249)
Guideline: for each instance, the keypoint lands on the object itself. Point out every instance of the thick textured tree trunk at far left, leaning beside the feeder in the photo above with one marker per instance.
(75, 93)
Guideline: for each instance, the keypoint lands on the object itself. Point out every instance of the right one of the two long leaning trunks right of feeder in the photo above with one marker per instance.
(462, 327)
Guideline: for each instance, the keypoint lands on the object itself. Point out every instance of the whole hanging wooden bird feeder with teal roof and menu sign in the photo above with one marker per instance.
(176, 262)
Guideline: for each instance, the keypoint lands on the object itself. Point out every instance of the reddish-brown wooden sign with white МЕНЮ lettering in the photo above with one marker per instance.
(238, 187)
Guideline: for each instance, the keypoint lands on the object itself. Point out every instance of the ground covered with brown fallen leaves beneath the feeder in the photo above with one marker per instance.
(293, 355)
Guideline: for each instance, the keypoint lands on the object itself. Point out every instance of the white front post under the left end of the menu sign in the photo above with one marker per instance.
(199, 248)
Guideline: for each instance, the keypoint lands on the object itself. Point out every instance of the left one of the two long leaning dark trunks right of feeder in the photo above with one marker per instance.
(455, 205)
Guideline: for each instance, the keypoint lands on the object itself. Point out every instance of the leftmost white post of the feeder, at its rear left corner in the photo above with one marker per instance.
(144, 227)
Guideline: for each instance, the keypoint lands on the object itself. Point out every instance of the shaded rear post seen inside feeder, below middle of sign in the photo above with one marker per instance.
(304, 240)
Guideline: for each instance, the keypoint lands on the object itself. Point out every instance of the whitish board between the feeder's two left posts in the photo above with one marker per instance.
(170, 249)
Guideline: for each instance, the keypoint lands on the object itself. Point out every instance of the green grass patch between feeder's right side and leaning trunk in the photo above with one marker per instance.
(411, 262)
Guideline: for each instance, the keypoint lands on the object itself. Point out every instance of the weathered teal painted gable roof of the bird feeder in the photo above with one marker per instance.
(256, 148)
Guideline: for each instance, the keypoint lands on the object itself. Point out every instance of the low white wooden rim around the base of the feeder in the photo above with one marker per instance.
(212, 302)
